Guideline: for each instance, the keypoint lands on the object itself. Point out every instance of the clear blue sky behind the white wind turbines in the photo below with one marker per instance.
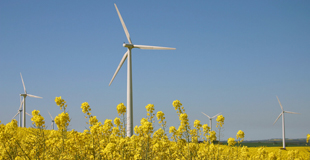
(232, 57)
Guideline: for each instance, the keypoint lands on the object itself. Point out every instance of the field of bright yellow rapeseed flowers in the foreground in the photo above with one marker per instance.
(108, 140)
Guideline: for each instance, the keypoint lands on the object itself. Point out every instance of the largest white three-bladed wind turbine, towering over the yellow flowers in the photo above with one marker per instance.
(130, 46)
